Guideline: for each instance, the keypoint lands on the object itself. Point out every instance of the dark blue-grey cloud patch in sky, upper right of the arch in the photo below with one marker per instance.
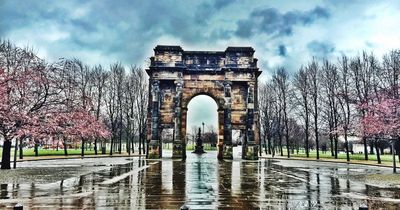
(274, 23)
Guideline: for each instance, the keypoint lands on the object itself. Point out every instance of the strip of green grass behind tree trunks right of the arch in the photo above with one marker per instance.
(342, 155)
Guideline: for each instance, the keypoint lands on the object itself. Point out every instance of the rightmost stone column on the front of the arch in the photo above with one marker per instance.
(250, 147)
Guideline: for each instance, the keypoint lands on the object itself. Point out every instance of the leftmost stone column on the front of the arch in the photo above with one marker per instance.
(155, 144)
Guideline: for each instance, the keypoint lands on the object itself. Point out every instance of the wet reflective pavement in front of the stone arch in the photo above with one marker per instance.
(200, 182)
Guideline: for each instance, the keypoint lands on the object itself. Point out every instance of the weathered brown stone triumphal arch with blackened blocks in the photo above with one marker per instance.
(229, 77)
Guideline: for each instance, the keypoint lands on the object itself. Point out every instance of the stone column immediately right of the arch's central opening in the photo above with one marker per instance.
(227, 148)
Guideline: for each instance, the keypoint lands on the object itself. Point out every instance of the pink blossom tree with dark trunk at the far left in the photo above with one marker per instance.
(37, 103)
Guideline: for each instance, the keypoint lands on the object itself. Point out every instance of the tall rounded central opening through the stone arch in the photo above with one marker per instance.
(202, 113)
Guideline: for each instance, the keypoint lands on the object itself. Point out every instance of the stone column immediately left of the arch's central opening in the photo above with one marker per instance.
(179, 139)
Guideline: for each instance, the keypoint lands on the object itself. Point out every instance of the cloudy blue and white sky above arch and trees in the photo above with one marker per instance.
(283, 33)
